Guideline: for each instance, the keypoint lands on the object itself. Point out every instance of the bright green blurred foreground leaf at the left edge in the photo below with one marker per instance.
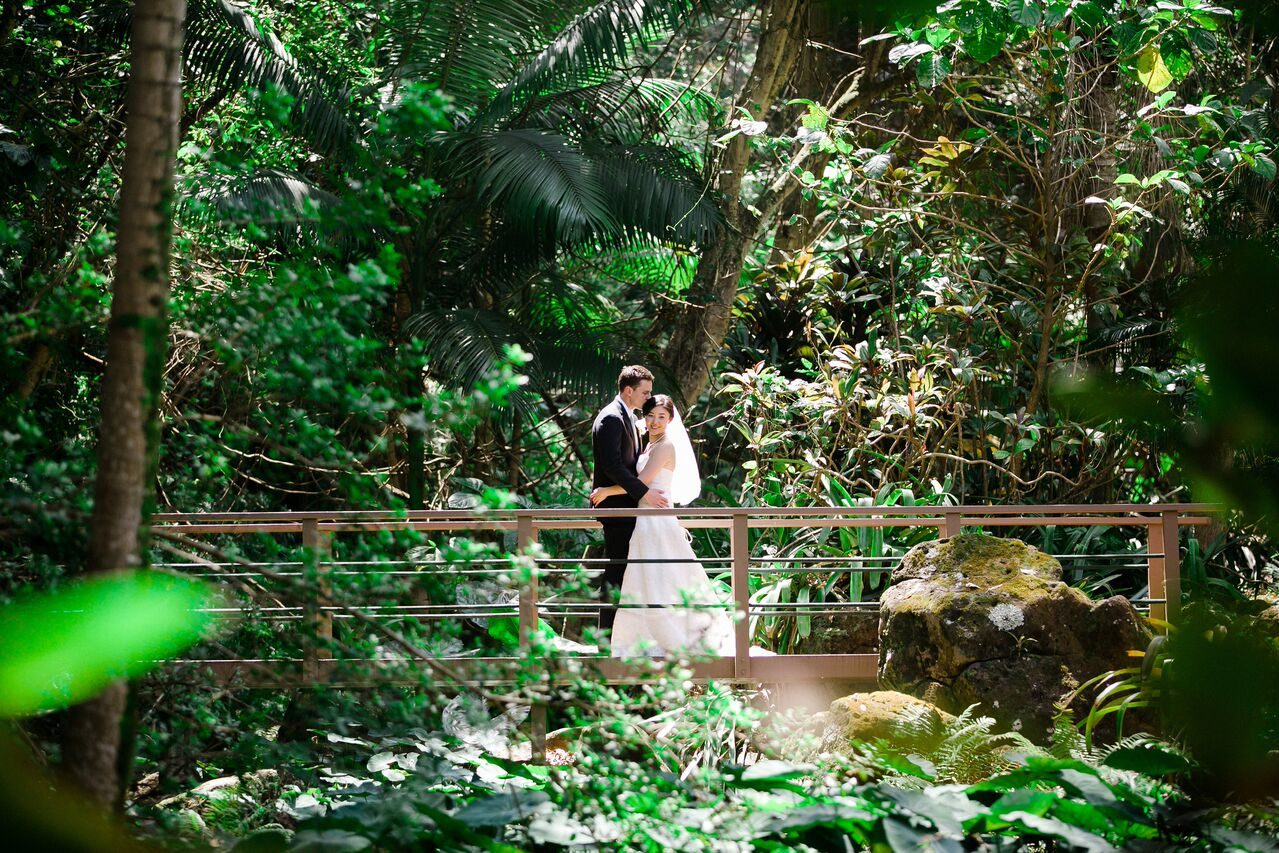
(63, 648)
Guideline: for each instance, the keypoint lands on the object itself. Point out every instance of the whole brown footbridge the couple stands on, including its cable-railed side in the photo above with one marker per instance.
(315, 583)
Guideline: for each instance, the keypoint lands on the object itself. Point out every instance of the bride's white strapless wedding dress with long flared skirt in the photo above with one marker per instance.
(703, 629)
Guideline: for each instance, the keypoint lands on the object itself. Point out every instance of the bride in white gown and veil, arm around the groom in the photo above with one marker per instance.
(693, 616)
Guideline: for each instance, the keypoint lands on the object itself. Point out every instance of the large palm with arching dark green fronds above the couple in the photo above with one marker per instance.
(556, 149)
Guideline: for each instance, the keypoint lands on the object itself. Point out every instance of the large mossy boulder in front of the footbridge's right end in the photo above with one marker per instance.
(978, 620)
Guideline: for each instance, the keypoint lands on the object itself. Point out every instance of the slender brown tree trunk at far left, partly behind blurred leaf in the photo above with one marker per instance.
(137, 340)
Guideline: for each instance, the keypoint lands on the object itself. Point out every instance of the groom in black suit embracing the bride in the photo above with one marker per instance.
(616, 442)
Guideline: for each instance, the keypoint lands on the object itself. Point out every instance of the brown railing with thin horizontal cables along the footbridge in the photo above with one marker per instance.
(1158, 525)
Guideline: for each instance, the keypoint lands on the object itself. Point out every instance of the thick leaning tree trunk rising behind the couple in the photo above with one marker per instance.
(699, 331)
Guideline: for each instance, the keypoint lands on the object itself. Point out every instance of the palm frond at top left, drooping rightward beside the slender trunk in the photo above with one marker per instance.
(226, 48)
